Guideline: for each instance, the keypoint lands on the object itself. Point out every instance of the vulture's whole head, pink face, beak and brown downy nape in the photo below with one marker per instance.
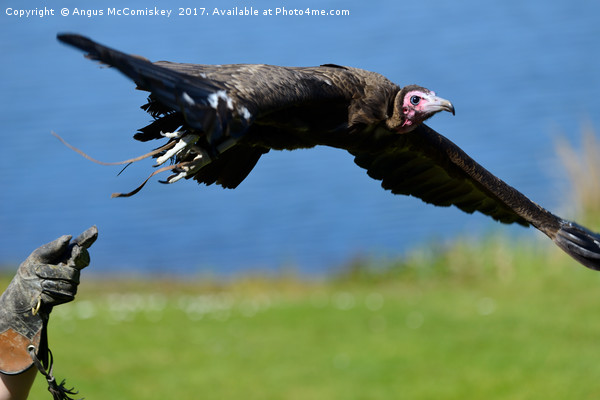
(413, 105)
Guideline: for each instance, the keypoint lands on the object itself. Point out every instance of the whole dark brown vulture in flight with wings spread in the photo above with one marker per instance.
(218, 120)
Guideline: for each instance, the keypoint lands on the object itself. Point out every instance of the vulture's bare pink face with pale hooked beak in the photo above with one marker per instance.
(419, 105)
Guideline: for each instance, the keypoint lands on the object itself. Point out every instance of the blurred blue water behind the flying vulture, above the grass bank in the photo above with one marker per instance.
(520, 74)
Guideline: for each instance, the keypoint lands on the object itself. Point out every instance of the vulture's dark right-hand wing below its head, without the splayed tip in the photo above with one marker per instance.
(427, 165)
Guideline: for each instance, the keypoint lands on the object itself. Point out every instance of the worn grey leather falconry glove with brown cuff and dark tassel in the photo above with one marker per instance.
(48, 277)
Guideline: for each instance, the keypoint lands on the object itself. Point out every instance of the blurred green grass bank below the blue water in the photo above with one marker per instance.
(491, 320)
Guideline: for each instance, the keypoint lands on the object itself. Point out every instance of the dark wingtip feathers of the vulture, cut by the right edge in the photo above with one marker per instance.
(580, 243)
